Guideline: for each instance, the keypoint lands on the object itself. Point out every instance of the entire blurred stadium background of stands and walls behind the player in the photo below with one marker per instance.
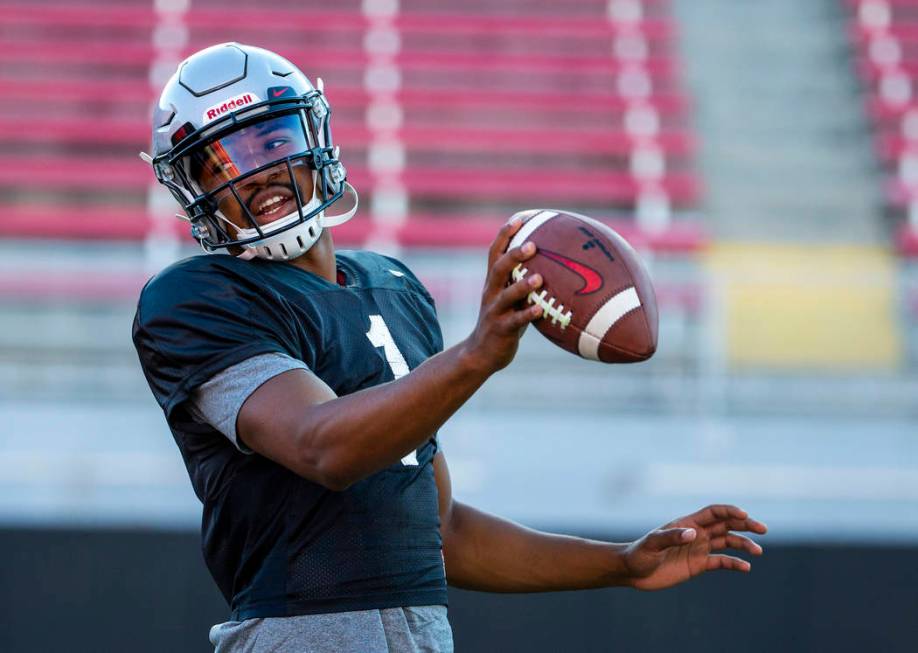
(763, 156)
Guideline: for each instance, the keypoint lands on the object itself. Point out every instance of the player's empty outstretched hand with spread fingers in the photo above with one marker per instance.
(685, 547)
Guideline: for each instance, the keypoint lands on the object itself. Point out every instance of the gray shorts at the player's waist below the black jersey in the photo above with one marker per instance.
(422, 629)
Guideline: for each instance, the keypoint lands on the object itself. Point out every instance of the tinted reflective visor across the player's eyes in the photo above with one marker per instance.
(220, 161)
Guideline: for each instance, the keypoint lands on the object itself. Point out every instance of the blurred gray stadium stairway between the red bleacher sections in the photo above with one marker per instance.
(785, 152)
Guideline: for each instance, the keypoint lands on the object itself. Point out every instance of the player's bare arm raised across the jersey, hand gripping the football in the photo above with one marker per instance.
(296, 420)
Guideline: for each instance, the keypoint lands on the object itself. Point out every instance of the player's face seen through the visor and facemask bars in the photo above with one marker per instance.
(268, 195)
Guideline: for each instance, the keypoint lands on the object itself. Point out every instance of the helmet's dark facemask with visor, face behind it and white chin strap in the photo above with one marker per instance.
(259, 181)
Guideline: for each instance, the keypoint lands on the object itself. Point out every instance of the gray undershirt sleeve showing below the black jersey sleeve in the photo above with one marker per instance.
(217, 401)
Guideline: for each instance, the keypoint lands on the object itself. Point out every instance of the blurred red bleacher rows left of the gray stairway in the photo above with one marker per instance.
(461, 110)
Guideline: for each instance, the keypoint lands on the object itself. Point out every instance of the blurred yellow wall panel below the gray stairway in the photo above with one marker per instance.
(825, 307)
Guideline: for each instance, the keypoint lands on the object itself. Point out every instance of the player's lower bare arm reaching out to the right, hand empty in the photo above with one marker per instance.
(486, 553)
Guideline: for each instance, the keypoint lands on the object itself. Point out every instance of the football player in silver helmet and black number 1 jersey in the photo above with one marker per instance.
(304, 387)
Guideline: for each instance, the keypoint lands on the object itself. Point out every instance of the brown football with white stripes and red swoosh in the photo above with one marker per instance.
(597, 298)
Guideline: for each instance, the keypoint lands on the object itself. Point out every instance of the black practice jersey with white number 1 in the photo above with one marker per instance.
(276, 543)
